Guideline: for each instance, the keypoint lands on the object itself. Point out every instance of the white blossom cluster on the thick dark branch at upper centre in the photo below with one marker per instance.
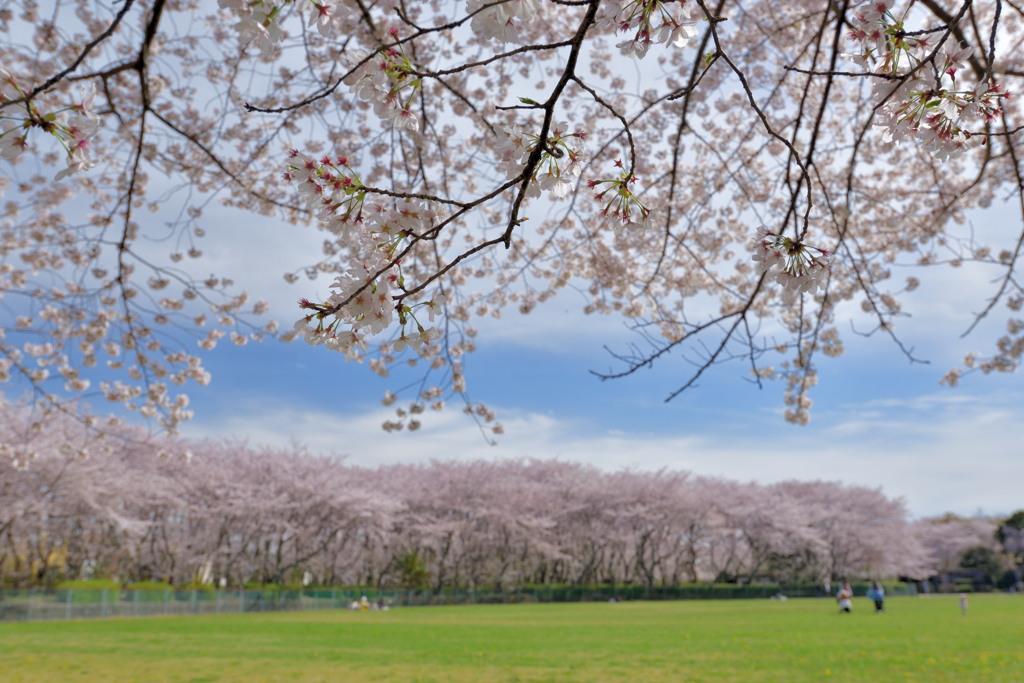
(562, 158)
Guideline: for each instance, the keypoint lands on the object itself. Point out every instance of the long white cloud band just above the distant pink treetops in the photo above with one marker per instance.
(942, 453)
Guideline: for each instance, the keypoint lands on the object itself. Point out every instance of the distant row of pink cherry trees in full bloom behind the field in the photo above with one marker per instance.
(74, 504)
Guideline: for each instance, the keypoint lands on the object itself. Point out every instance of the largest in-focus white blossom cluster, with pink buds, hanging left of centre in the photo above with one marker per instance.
(362, 301)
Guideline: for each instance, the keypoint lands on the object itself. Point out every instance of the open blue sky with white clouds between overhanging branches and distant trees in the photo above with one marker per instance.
(878, 420)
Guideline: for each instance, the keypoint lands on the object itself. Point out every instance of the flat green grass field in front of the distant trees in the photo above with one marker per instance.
(919, 639)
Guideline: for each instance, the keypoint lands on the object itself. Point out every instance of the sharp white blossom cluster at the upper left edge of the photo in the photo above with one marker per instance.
(74, 125)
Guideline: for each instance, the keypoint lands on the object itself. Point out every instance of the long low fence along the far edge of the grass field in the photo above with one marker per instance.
(68, 604)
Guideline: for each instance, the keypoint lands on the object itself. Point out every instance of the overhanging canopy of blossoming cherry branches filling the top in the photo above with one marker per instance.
(726, 175)
